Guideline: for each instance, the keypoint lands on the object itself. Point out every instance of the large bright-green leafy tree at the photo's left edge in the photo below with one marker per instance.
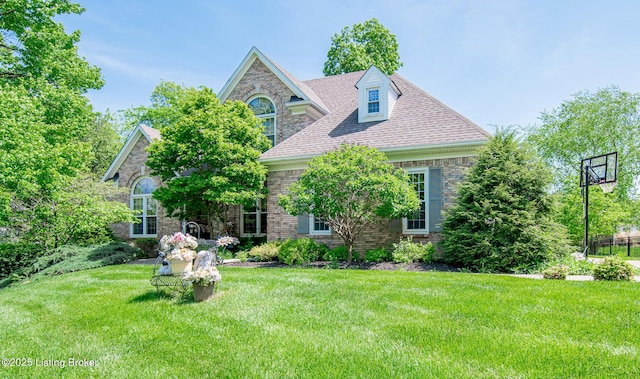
(46, 125)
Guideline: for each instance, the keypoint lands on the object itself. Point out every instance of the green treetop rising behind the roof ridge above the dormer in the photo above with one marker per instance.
(357, 48)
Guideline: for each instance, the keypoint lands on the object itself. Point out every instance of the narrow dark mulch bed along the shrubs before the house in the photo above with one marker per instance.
(353, 266)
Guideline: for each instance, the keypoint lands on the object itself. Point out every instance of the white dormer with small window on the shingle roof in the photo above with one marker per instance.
(377, 95)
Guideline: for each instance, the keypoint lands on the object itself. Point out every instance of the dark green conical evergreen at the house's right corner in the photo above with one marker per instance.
(501, 220)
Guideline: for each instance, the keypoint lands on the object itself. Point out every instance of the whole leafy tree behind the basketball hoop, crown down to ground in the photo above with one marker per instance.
(592, 124)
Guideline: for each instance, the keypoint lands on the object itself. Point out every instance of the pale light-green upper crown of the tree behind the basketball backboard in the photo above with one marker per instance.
(588, 125)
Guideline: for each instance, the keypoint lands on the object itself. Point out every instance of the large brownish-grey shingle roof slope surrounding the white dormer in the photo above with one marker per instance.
(417, 120)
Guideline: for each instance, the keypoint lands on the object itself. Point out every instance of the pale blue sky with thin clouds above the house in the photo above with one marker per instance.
(497, 62)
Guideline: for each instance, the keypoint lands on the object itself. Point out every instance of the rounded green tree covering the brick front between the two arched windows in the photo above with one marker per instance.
(209, 157)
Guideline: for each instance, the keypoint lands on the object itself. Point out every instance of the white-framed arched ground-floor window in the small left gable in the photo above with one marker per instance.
(146, 208)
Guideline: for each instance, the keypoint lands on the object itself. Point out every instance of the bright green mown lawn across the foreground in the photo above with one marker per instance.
(312, 323)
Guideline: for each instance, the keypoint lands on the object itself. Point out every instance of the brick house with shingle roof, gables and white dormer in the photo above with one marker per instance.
(304, 119)
